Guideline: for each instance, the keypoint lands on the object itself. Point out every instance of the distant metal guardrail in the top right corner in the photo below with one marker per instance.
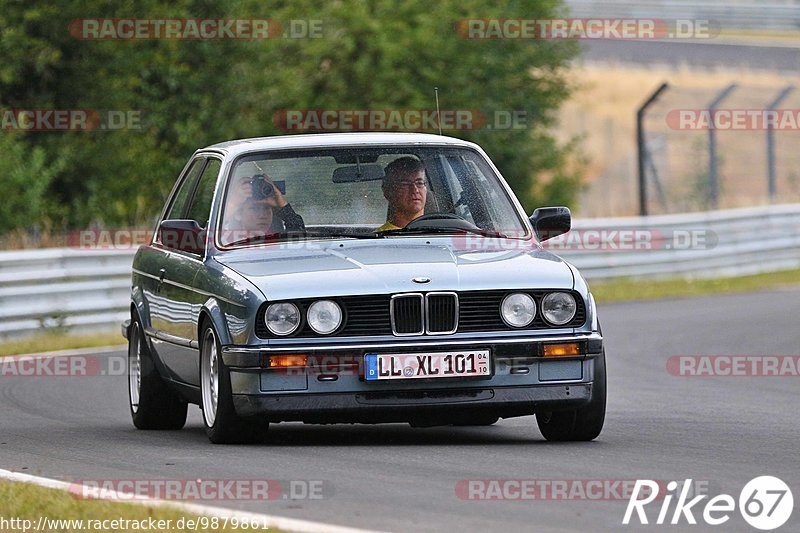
(730, 14)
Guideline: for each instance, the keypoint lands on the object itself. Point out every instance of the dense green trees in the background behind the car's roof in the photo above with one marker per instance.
(374, 54)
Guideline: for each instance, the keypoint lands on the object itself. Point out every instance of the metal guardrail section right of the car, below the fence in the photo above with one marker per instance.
(731, 242)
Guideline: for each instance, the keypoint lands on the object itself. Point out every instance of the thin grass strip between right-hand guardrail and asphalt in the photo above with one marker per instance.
(630, 290)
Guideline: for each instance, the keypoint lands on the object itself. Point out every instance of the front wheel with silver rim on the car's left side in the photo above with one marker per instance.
(223, 425)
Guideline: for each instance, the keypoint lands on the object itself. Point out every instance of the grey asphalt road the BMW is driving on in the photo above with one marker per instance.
(723, 431)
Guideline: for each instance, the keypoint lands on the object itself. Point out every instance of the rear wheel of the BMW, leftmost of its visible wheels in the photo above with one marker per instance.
(153, 404)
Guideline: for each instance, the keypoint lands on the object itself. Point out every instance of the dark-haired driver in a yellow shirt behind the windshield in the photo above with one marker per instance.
(404, 188)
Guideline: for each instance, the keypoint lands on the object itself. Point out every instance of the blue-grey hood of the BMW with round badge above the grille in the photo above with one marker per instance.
(339, 268)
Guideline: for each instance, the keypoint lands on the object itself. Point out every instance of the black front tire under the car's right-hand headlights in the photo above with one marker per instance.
(581, 424)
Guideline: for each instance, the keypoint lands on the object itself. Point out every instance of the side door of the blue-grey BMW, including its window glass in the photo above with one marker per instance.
(182, 301)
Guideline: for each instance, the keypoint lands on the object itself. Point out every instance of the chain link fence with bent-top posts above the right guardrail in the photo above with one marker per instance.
(709, 148)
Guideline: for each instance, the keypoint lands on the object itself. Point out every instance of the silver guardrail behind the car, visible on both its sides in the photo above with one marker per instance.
(90, 289)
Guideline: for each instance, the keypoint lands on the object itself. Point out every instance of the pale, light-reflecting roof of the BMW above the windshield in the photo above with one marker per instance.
(329, 140)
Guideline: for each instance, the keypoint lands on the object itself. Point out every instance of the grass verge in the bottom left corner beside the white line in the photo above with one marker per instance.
(30, 502)
